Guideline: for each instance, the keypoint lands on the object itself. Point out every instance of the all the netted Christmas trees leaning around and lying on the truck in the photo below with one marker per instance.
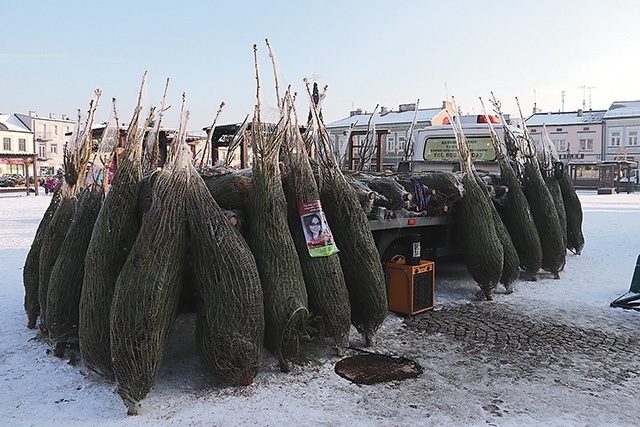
(280, 255)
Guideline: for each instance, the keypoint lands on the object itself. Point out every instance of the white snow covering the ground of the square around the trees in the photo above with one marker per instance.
(461, 384)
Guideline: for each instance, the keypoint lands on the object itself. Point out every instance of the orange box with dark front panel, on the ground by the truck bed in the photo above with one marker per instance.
(410, 288)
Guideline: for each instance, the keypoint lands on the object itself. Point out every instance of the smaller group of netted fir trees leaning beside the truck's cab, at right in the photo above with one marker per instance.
(528, 229)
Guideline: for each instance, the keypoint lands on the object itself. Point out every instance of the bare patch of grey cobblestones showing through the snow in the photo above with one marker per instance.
(495, 332)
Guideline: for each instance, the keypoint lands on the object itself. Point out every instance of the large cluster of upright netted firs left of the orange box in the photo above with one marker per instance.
(109, 271)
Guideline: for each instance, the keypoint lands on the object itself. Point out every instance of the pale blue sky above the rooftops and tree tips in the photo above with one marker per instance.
(55, 54)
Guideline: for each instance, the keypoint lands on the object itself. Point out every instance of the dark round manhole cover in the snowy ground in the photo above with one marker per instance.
(376, 368)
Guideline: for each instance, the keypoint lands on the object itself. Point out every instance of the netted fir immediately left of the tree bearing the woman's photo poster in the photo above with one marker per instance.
(285, 296)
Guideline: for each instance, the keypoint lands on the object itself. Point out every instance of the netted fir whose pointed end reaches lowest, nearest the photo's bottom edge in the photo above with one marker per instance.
(147, 291)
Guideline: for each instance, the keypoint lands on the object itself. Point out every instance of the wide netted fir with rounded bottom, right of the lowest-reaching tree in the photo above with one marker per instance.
(230, 315)
